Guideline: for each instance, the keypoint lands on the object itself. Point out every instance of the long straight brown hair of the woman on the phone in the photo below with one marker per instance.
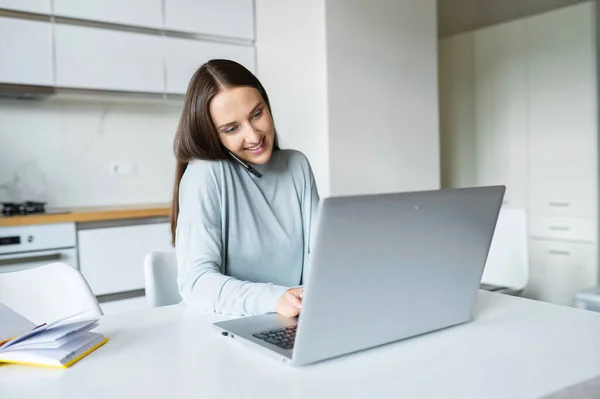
(197, 137)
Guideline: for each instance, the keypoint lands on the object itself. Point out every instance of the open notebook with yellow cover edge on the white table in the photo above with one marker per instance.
(58, 344)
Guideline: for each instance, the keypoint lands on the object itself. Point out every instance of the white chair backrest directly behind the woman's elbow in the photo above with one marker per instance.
(160, 274)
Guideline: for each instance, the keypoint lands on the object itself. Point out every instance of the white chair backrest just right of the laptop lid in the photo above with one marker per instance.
(508, 260)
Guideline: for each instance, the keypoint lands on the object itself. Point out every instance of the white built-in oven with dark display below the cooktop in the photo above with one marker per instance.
(23, 247)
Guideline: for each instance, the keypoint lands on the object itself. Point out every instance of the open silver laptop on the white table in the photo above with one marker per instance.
(383, 268)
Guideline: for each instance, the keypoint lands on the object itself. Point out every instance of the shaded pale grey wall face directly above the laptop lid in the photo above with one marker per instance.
(383, 97)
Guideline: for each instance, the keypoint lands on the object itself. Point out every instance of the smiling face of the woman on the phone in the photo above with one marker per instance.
(244, 123)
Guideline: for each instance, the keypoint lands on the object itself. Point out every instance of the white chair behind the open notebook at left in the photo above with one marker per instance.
(48, 293)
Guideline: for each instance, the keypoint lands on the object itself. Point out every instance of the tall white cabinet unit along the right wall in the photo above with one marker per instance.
(533, 104)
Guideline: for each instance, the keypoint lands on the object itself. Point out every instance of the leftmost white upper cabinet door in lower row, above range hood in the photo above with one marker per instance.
(27, 57)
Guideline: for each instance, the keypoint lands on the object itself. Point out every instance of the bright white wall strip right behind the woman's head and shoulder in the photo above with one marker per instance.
(291, 64)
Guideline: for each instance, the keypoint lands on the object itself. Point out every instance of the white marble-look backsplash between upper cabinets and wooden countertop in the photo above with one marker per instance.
(60, 152)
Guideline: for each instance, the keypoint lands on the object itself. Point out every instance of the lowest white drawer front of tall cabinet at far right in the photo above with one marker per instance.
(558, 270)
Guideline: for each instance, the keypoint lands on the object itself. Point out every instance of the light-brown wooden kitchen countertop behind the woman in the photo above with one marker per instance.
(92, 214)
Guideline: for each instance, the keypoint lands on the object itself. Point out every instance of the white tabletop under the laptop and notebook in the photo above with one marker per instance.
(514, 348)
